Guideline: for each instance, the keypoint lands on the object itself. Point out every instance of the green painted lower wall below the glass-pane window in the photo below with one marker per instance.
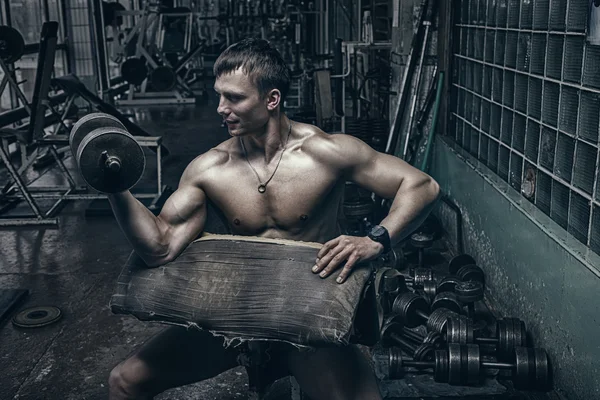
(534, 270)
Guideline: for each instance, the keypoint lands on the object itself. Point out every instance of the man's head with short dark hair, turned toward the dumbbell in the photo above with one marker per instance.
(252, 80)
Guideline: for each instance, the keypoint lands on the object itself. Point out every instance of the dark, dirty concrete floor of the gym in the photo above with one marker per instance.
(75, 268)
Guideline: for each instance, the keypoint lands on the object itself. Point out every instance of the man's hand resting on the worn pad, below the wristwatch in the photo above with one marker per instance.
(351, 249)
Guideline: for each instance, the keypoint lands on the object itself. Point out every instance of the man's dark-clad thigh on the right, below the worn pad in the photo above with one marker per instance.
(334, 373)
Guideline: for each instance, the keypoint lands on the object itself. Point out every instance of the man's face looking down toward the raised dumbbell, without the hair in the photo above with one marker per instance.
(240, 104)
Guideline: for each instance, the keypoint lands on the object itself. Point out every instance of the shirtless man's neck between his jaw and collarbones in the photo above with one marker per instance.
(267, 143)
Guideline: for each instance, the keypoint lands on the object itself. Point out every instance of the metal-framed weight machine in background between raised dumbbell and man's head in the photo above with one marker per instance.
(160, 55)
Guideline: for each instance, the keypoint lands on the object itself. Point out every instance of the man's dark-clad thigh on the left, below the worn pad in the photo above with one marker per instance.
(178, 356)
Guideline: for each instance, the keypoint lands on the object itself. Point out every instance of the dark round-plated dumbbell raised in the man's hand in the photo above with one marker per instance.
(109, 157)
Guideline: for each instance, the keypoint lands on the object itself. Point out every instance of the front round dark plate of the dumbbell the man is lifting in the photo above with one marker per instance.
(117, 143)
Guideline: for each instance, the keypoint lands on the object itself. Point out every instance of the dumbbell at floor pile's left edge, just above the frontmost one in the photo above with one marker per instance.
(391, 334)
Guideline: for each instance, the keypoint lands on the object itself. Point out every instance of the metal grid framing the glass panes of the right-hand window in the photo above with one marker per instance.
(470, 124)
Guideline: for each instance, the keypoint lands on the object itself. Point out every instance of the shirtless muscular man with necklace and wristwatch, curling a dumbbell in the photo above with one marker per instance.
(274, 178)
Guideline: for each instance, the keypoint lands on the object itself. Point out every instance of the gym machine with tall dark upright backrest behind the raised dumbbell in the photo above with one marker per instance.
(32, 134)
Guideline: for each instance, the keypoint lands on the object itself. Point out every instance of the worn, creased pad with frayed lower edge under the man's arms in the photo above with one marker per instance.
(245, 288)
